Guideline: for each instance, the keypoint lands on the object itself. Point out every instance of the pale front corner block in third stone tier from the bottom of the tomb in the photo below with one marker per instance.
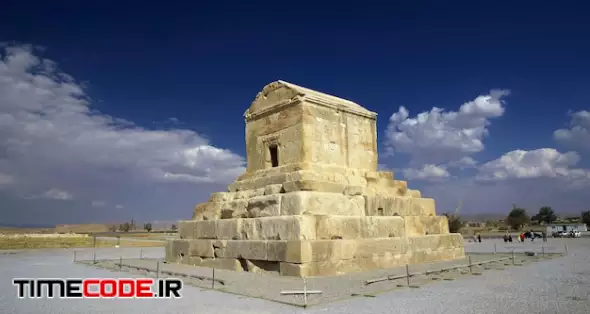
(320, 203)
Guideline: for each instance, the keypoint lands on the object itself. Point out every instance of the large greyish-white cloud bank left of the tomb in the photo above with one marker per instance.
(51, 136)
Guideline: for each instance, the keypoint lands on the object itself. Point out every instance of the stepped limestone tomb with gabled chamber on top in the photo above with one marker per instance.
(311, 201)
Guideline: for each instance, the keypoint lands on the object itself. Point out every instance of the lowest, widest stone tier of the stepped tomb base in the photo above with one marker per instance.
(315, 257)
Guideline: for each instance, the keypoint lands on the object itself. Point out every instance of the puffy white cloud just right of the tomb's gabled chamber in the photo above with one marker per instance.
(440, 136)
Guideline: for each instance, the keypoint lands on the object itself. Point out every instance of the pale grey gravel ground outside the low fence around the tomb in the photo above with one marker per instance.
(549, 286)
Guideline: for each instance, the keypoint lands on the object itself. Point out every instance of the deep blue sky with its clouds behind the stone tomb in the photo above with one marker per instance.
(181, 77)
